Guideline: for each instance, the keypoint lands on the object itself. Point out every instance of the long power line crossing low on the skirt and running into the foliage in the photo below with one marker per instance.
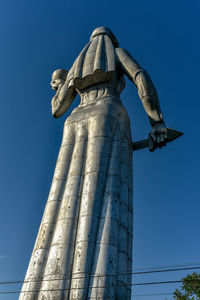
(98, 287)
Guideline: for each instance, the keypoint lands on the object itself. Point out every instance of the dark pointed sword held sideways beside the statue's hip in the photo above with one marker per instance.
(171, 135)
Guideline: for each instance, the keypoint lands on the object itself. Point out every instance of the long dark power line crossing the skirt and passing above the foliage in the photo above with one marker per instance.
(101, 275)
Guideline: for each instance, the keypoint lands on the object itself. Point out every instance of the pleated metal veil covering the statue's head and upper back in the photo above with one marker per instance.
(96, 62)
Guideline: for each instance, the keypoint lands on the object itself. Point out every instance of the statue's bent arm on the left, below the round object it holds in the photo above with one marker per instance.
(62, 100)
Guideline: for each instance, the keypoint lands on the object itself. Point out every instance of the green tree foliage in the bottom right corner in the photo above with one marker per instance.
(190, 289)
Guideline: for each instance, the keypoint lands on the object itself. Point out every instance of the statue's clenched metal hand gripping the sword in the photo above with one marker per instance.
(158, 135)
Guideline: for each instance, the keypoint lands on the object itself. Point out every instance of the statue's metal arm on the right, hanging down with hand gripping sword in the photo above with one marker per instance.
(147, 94)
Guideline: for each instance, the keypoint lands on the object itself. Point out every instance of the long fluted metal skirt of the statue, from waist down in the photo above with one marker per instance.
(84, 245)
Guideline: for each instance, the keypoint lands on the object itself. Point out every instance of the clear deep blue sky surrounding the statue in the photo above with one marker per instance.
(39, 36)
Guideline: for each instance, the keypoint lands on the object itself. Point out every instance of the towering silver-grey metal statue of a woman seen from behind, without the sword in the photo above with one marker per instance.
(84, 245)
